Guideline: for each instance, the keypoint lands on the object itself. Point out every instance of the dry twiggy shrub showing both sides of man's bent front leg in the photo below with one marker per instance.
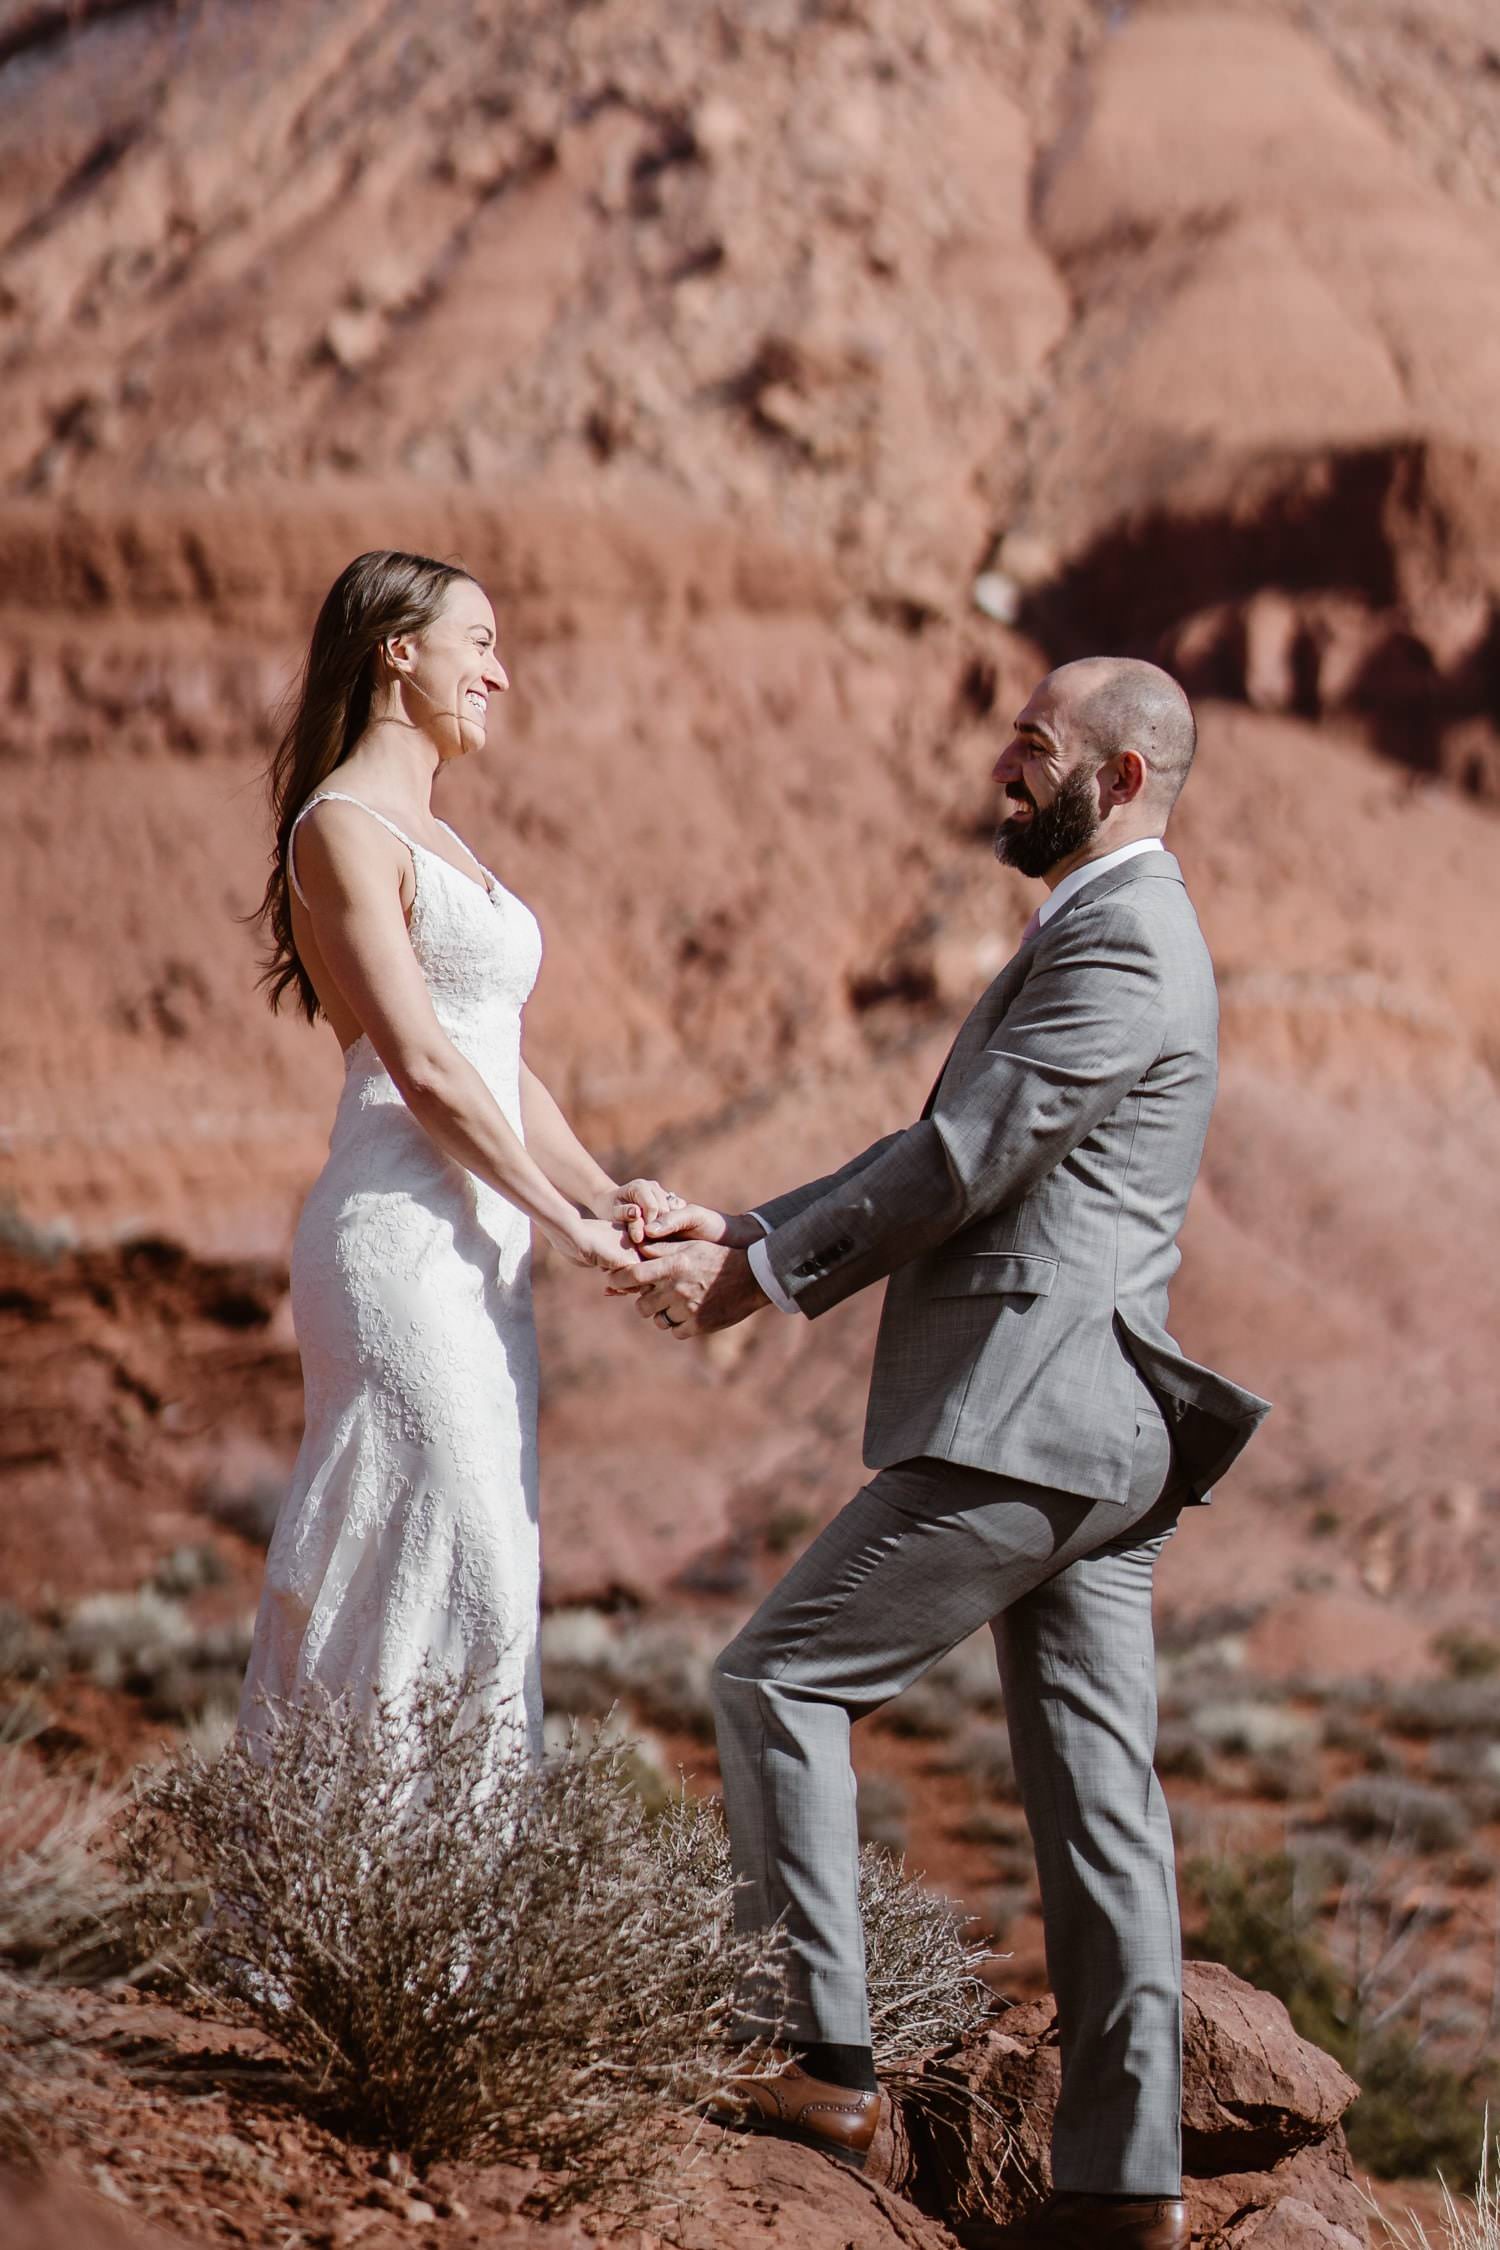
(923, 1972)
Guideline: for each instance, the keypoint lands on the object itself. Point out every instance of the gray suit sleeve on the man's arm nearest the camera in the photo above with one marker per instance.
(1083, 1029)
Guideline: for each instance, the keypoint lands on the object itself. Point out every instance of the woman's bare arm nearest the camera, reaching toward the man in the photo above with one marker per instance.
(352, 883)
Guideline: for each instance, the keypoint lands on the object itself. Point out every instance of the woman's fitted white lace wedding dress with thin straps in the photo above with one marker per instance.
(408, 1540)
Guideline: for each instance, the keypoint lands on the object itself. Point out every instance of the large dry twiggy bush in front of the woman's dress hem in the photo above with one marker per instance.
(458, 1954)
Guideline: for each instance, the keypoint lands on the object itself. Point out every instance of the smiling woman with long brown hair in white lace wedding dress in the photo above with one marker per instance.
(408, 1538)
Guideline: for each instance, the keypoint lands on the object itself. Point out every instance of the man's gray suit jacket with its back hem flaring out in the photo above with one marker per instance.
(1029, 1221)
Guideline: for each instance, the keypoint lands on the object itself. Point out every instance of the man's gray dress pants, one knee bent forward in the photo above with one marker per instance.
(919, 1560)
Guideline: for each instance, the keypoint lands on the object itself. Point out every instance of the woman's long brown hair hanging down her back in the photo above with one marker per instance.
(379, 595)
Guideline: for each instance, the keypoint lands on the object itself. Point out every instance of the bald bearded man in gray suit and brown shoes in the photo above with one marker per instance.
(1033, 1434)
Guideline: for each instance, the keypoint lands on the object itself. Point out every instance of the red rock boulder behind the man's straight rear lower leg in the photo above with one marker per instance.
(1263, 2134)
